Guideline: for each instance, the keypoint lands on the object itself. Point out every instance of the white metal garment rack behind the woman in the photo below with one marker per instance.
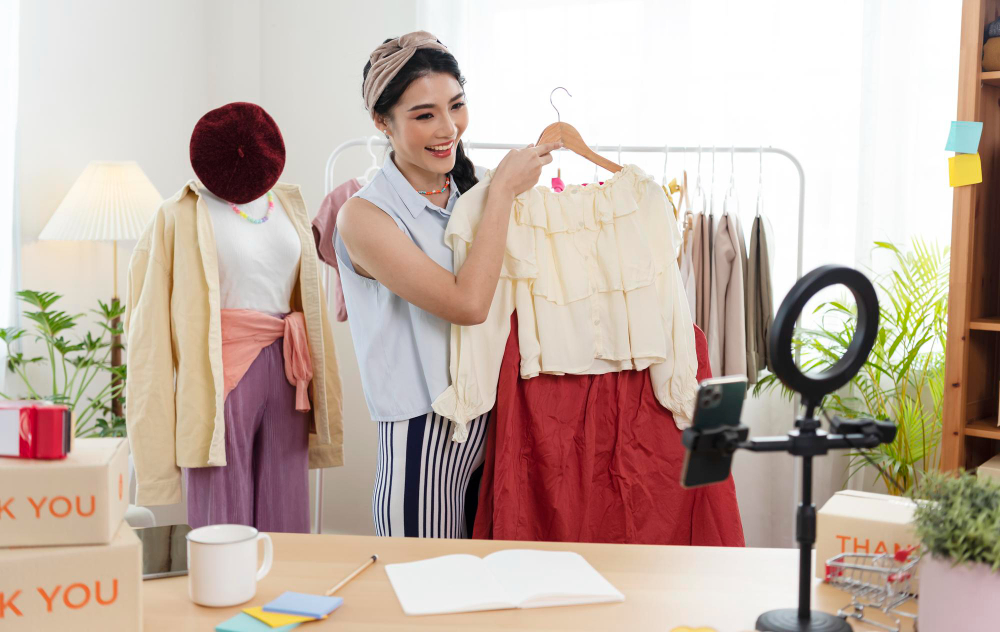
(374, 141)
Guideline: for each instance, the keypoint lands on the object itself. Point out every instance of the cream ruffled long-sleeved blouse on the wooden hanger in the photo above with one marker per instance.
(592, 272)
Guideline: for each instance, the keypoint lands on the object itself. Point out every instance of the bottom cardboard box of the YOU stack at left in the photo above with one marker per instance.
(79, 588)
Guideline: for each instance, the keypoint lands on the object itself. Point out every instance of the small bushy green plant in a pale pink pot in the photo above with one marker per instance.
(959, 527)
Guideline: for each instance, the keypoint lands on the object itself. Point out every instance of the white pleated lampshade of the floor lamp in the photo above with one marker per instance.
(109, 201)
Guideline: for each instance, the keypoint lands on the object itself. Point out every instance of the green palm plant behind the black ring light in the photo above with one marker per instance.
(903, 379)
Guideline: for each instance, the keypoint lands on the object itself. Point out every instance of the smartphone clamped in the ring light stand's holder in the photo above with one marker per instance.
(719, 403)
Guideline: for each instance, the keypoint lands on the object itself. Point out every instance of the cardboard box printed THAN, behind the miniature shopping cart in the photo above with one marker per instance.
(863, 522)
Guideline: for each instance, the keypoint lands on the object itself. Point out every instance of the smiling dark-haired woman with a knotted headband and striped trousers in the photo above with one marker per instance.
(399, 286)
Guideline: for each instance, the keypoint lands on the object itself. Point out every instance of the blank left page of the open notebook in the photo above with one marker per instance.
(443, 585)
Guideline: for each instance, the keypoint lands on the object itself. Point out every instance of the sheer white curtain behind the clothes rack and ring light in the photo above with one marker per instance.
(861, 91)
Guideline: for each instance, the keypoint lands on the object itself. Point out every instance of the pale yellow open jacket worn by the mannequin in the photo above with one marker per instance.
(174, 390)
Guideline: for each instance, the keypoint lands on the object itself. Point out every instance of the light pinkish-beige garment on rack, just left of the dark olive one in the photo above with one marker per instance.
(727, 346)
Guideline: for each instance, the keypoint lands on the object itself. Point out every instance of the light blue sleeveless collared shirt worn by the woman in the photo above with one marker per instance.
(402, 350)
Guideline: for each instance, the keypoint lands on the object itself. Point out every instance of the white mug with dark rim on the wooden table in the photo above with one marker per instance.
(222, 564)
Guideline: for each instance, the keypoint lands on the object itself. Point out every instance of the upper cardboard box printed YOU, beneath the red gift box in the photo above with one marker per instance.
(77, 500)
